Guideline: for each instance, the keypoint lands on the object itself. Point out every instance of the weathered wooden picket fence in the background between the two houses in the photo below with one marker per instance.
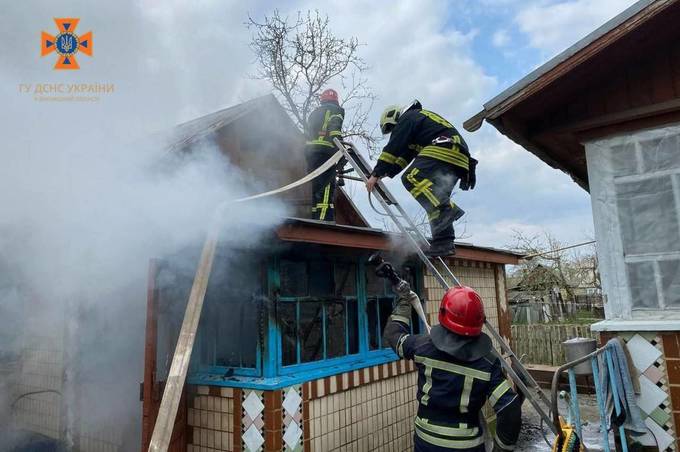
(542, 343)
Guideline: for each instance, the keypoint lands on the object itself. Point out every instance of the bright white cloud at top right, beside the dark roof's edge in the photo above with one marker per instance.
(553, 26)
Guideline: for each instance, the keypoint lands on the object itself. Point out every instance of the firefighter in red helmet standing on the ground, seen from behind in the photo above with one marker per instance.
(458, 372)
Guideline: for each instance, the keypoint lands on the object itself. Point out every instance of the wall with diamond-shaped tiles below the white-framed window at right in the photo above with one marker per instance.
(647, 352)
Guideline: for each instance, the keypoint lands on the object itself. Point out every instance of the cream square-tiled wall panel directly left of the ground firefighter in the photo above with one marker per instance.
(376, 416)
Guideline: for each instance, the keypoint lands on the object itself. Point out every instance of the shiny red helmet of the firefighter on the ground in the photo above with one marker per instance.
(462, 311)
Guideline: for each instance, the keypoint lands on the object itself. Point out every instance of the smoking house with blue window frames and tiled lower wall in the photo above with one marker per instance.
(291, 358)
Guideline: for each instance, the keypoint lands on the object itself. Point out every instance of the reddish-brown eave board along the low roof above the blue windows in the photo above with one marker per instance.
(323, 233)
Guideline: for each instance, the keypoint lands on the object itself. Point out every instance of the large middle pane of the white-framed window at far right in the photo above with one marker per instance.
(647, 216)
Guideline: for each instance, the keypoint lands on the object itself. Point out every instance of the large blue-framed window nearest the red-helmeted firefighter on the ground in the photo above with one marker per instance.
(330, 311)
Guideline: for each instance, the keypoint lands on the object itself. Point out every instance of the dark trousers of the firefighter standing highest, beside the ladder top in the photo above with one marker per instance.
(323, 187)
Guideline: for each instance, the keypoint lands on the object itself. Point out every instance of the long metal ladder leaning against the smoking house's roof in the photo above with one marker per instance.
(526, 383)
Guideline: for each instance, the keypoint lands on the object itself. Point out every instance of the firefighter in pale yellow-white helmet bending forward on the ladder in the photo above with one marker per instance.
(440, 159)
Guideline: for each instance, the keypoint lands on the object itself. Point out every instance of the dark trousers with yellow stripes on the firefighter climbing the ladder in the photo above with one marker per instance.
(431, 182)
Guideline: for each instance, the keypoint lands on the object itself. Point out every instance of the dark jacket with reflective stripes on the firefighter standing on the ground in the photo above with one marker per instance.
(453, 385)
